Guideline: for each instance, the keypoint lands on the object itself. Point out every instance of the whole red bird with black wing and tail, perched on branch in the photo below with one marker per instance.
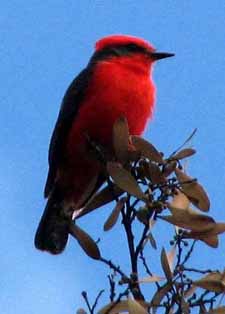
(116, 82)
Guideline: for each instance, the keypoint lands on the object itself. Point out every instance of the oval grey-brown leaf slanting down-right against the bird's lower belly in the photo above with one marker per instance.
(124, 180)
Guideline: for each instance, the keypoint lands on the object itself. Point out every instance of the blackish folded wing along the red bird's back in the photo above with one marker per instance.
(68, 111)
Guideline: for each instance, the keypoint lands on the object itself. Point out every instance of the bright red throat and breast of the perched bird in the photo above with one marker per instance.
(123, 87)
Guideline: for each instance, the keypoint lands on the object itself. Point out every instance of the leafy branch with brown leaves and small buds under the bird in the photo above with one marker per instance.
(148, 187)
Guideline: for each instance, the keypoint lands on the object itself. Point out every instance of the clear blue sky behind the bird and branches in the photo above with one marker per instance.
(43, 45)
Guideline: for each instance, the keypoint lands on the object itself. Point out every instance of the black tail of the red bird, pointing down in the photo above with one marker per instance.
(53, 230)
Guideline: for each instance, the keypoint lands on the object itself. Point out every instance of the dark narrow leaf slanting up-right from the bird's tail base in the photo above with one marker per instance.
(101, 198)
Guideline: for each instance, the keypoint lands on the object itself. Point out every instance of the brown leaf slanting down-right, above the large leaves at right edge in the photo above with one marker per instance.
(193, 190)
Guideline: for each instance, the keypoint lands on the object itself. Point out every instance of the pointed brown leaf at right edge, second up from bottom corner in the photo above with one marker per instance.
(211, 282)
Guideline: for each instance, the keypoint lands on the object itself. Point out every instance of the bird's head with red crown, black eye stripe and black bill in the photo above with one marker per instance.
(128, 48)
